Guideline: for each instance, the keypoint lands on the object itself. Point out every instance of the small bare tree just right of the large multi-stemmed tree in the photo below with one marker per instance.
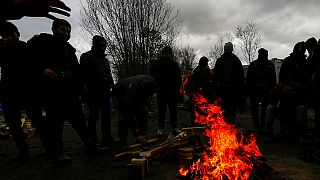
(186, 57)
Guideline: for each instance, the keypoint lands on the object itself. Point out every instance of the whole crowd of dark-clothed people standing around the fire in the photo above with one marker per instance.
(58, 84)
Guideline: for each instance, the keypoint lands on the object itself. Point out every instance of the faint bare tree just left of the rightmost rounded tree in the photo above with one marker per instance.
(217, 47)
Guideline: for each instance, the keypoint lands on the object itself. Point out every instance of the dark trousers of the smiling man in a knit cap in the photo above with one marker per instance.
(57, 109)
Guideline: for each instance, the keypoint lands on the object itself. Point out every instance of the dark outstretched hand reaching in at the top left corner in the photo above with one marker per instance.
(42, 8)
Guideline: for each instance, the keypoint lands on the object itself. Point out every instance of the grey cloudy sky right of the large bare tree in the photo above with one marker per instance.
(282, 23)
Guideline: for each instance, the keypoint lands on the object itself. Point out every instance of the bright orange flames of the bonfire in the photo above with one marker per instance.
(230, 155)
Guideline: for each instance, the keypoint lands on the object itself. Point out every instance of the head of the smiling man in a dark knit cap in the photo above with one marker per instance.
(61, 29)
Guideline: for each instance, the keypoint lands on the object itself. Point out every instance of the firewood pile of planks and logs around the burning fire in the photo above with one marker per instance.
(188, 147)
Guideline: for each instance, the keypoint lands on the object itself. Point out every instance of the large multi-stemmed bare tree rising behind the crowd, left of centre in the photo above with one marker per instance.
(134, 30)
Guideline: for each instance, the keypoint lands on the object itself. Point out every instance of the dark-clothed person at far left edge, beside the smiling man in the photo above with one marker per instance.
(18, 86)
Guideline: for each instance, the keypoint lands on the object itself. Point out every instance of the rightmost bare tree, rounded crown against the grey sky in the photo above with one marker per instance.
(250, 40)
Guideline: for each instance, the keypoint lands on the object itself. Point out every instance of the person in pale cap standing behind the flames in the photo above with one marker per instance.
(228, 78)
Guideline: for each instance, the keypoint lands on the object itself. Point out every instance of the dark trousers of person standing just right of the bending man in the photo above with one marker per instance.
(170, 101)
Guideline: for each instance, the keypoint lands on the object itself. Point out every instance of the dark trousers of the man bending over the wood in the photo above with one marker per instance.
(134, 118)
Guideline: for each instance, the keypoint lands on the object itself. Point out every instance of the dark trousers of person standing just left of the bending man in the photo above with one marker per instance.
(101, 105)
